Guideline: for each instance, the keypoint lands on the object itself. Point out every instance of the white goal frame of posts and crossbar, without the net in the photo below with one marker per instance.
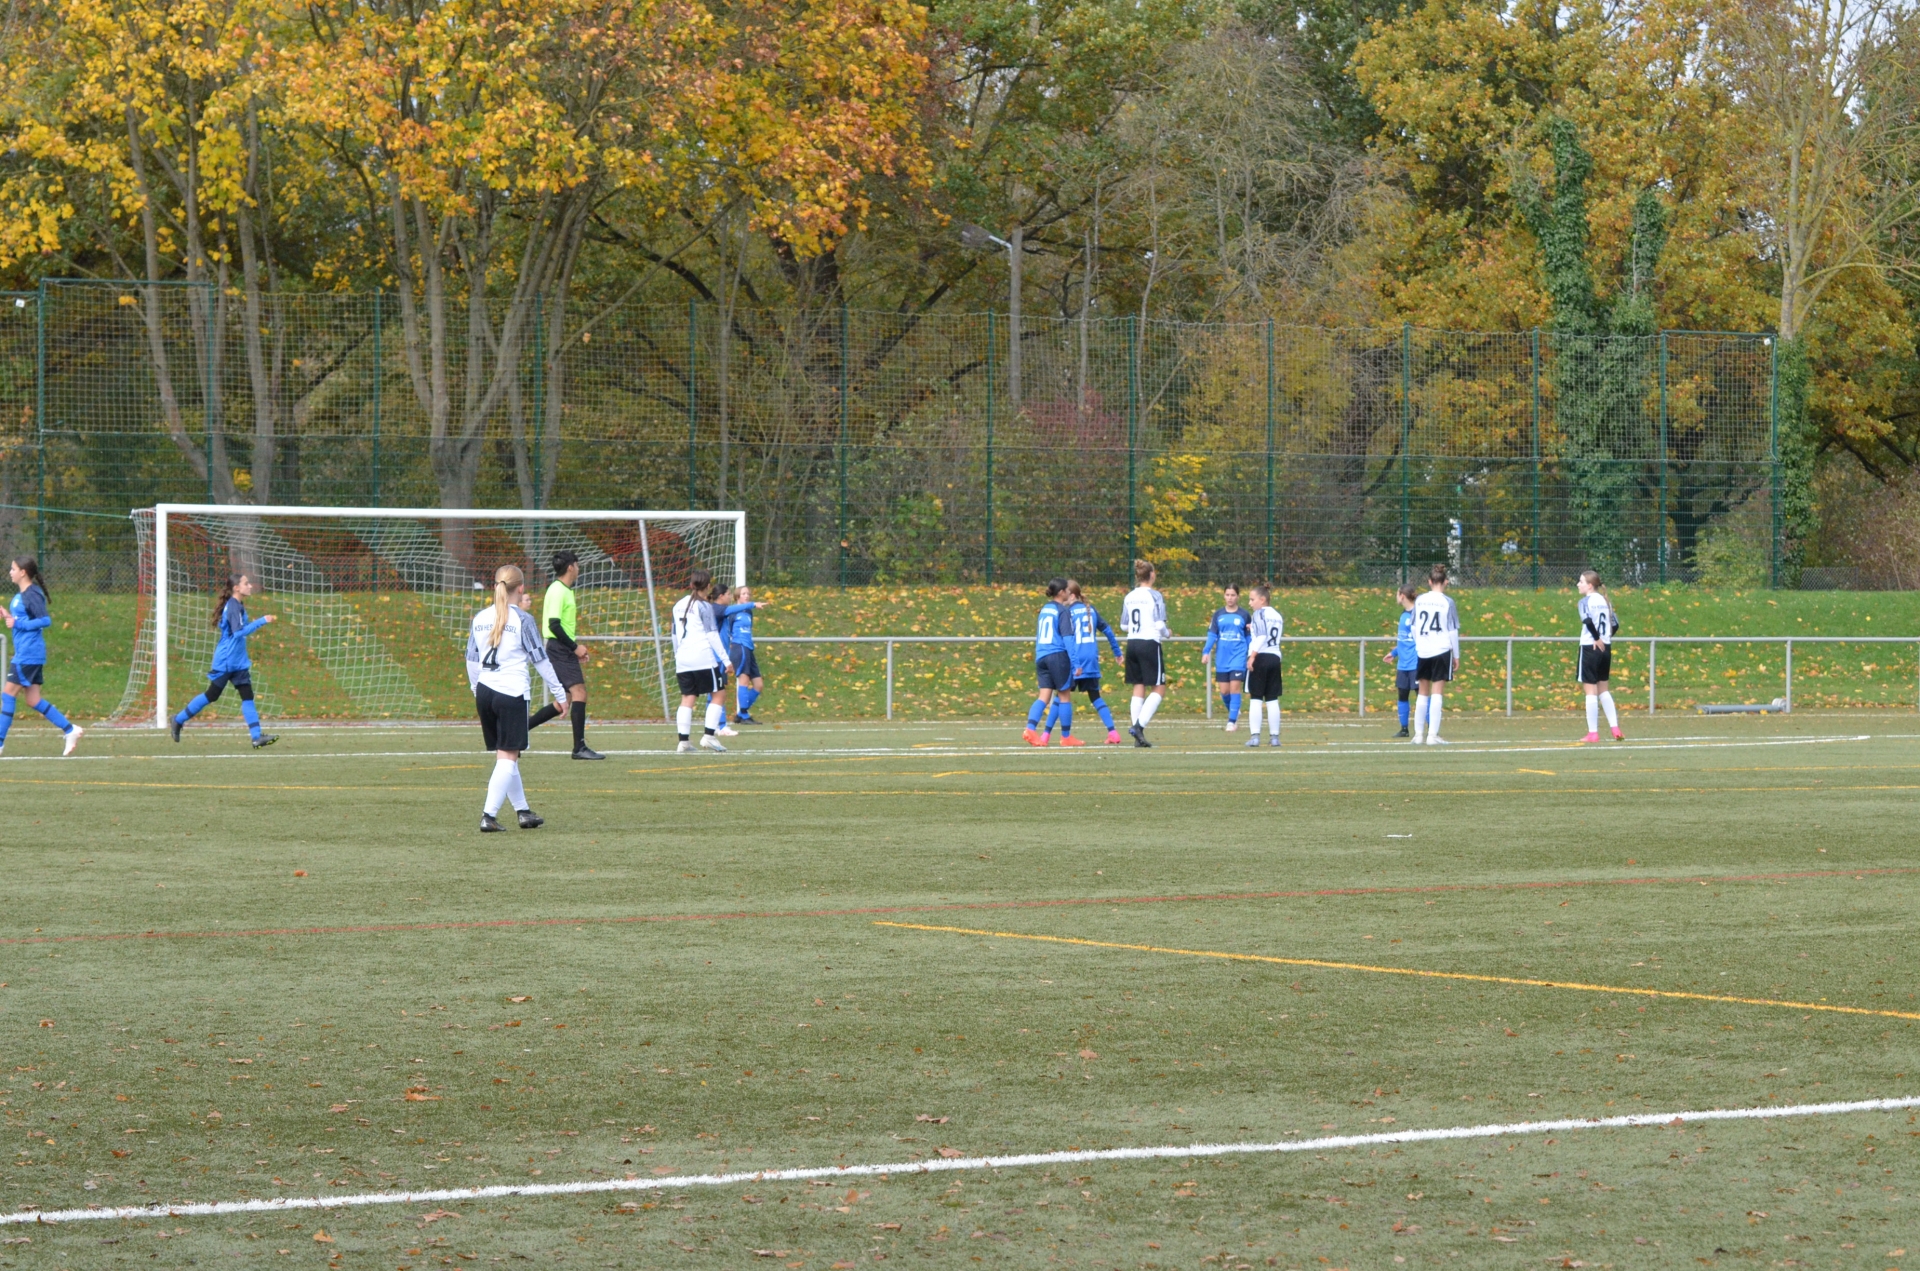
(164, 594)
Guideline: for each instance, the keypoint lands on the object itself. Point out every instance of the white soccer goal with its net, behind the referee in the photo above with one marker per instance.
(373, 604)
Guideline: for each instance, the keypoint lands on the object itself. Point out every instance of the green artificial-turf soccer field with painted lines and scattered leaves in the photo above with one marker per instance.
(304, 974)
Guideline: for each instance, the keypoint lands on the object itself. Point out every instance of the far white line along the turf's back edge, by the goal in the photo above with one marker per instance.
(1362, 750)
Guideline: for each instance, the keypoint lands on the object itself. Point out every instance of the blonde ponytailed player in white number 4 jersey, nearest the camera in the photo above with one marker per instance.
(502, 648)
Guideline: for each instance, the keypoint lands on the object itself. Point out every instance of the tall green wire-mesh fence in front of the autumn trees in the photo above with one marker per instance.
(873, 448)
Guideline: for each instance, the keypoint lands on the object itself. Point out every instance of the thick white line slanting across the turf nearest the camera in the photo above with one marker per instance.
(281, 1205)
